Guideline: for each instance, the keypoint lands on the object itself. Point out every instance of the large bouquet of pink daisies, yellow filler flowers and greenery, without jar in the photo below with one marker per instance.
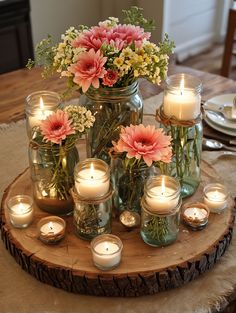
(108, 55)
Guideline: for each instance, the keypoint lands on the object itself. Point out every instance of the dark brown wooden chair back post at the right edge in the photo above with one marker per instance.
(229, 42)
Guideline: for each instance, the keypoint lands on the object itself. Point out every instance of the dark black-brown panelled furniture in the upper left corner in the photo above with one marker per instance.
(15, 35)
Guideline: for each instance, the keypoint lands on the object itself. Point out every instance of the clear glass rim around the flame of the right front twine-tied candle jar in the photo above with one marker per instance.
(152, 179)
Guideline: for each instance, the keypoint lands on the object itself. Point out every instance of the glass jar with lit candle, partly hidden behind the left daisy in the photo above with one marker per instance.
(39, 105)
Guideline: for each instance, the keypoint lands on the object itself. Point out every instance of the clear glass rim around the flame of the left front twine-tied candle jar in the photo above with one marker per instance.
(84, 164)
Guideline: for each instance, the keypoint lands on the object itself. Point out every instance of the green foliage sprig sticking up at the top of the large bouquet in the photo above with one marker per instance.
(134, 16)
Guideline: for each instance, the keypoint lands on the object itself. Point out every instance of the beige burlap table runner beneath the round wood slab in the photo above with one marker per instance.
(20, 292)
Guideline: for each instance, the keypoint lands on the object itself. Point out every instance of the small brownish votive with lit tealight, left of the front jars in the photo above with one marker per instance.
(51, 229)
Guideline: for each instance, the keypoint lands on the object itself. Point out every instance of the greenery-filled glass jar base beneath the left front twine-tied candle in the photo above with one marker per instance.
(92, 218)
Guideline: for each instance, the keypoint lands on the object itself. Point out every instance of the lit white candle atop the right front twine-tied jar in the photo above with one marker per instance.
(161, 198)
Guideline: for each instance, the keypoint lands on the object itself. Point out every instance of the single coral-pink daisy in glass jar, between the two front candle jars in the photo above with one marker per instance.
(136, 156)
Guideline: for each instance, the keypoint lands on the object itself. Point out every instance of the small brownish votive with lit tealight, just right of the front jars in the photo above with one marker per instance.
(195, 215)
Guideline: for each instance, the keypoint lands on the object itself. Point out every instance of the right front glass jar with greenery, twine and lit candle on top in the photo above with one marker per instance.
(160, 214)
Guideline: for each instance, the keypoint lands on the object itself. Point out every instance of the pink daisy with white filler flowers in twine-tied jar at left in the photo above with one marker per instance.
(54, 139)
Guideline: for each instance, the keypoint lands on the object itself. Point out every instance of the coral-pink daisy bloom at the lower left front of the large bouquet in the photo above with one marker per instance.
(88, 69)
